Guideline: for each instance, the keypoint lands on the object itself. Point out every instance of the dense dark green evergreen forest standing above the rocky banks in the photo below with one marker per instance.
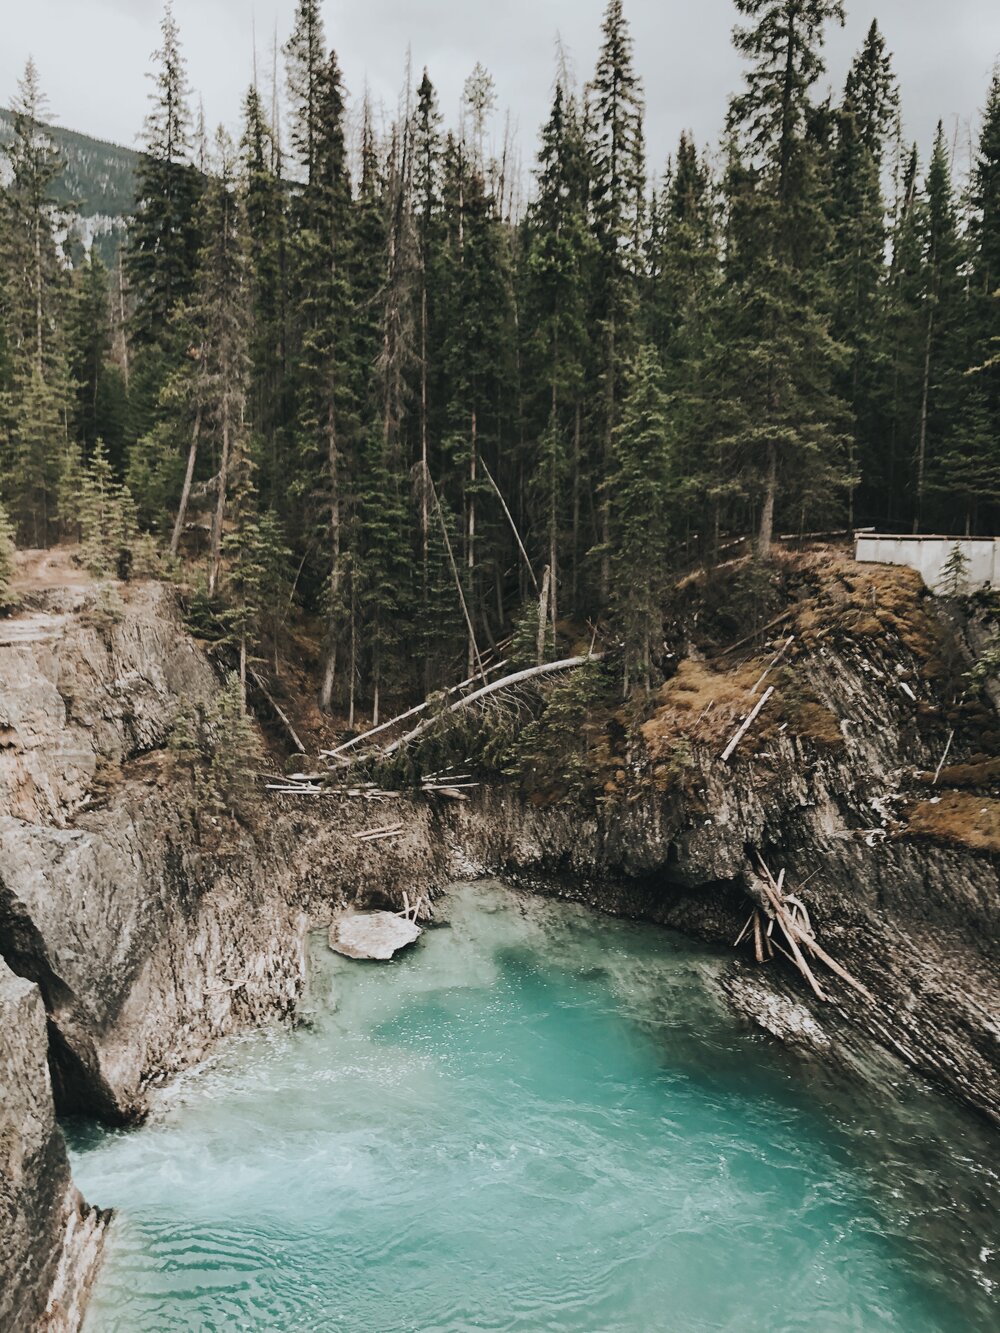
(365, 374)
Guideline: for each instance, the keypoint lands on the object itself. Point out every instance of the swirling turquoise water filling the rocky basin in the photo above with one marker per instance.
(537, 1120)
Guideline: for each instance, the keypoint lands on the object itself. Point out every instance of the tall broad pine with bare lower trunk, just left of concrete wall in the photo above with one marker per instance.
(778, 359)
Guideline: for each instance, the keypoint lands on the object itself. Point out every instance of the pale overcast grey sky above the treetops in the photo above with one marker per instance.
(93, 55)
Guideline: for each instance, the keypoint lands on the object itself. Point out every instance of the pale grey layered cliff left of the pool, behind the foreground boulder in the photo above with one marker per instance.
(147, 942)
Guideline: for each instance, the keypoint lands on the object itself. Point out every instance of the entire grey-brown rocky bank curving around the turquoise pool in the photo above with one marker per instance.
(139, 927)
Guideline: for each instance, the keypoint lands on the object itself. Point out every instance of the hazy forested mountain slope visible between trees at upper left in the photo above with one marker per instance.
(98, 181)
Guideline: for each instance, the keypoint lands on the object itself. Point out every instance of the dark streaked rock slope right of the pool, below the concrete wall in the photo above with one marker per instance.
(917, 920)
